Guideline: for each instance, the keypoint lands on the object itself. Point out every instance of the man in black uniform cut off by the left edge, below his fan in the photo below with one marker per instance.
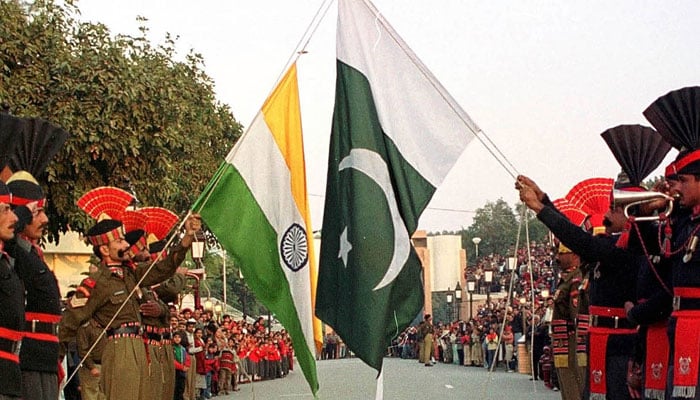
(12, 309)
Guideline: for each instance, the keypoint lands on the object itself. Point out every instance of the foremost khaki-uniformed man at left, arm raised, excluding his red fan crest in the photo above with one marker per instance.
(101, 297)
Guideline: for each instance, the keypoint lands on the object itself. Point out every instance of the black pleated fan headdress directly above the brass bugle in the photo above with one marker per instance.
(638, 149)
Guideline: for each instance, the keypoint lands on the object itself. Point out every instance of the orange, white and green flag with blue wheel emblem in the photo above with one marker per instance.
(256, 205)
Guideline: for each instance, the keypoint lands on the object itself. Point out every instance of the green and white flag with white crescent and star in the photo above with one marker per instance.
(396, 133)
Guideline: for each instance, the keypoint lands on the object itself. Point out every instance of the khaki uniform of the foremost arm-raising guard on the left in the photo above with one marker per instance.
(100, 297)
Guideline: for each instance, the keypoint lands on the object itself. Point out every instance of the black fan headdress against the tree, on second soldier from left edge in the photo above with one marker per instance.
(38, 142)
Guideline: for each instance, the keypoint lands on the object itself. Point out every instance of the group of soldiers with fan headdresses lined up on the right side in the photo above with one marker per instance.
(640, 277)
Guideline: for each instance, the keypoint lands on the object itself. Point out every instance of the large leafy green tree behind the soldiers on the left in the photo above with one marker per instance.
(138, 118)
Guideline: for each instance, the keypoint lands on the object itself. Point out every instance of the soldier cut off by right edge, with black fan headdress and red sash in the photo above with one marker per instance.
(676, 116)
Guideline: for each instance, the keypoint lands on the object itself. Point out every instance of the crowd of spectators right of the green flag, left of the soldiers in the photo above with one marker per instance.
(475, 341)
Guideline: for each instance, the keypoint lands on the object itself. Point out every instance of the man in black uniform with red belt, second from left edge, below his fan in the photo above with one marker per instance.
(39, 354)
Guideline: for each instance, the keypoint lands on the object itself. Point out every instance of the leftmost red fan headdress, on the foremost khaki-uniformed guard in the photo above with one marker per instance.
(105, 202)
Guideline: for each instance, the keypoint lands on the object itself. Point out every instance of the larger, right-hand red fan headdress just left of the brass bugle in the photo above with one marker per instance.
(592, 196)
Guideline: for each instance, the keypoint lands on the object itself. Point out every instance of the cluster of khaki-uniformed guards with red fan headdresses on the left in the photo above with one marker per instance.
(119, 314)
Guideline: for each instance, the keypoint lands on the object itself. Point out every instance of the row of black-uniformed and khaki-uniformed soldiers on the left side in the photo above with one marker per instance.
(132, 358)
